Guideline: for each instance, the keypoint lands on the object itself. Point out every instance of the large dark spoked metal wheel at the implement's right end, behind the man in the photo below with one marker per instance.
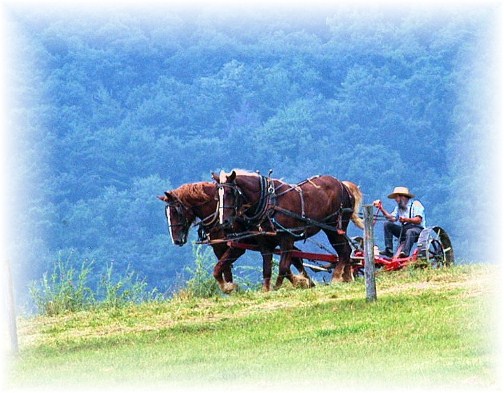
(435, 247)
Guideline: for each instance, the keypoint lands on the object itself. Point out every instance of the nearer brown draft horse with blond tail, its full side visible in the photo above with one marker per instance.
(295, 212)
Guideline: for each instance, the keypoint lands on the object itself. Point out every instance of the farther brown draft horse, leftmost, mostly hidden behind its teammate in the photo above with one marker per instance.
(199, 200)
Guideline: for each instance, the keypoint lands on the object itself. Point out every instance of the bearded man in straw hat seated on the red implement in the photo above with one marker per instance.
(405, 222)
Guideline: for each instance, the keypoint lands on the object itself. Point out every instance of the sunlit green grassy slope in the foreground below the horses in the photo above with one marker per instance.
(428, 328)
